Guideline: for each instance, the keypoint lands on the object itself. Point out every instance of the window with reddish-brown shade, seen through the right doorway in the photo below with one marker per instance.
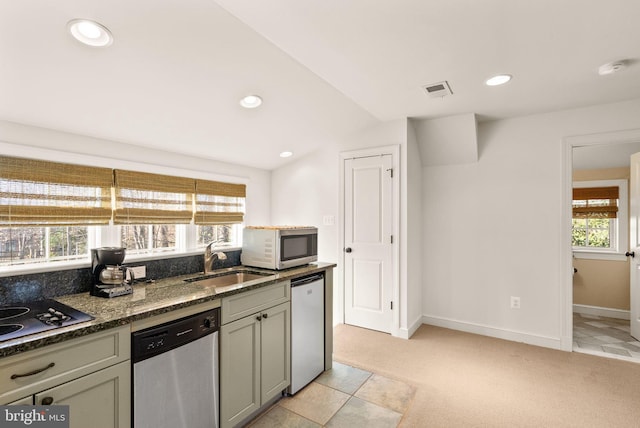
(599, 224)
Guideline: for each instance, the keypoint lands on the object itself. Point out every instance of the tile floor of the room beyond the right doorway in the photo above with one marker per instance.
(601, 335)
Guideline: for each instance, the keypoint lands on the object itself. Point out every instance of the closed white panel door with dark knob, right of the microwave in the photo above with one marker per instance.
(368, 257)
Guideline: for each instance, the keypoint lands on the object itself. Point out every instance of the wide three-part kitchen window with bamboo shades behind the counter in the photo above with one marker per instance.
(49, 212)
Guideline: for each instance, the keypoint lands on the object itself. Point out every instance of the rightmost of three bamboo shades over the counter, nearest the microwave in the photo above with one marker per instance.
(219, 203)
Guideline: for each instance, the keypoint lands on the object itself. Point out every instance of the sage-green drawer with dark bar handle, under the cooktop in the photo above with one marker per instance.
(62, 362)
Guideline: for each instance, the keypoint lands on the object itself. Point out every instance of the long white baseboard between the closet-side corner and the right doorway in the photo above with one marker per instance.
(500, 333)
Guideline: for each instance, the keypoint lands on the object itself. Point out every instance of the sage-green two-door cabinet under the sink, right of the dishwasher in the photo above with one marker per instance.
(255, 354)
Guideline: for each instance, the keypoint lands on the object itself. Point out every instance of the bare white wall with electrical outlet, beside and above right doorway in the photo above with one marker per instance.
(493, 229)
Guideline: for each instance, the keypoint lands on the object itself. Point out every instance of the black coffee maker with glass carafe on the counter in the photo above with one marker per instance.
(108, 275)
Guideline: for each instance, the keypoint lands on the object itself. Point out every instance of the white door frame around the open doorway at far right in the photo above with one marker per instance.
(566, 272)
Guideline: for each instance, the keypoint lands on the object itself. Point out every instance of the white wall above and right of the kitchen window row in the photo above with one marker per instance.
(40, 143)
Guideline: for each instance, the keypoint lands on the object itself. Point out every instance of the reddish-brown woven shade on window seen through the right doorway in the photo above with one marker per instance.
(595, 202)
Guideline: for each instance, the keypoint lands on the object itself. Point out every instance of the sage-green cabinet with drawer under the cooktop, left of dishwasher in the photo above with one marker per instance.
(91, 374)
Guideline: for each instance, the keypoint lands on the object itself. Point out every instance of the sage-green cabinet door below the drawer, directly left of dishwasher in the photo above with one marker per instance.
(98, 400)
